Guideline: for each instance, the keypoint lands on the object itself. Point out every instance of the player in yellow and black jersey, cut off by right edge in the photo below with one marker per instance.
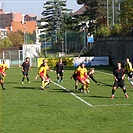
(129, 69)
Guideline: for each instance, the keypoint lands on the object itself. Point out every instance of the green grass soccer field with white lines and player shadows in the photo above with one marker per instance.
(59, 109)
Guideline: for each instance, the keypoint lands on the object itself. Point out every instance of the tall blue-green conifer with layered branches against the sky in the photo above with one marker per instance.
(53, 15)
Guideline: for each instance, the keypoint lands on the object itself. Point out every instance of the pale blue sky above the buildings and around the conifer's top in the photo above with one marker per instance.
(31, 6)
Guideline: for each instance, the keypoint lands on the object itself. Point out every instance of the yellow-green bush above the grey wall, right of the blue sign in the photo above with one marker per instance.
(103, 31)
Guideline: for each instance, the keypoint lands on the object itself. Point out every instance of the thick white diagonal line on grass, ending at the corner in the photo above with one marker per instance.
(73, 94)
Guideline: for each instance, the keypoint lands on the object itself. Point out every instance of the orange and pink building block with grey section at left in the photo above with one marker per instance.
(16, 21)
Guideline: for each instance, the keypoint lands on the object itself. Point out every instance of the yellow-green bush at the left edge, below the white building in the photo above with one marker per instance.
(5, 43)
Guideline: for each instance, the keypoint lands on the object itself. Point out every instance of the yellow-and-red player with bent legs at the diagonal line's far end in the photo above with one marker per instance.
(43, 74)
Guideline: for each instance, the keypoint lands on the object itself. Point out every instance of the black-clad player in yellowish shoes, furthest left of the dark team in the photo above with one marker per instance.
(25, 68)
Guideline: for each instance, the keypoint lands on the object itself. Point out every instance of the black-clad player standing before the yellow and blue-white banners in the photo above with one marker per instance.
(59, 69)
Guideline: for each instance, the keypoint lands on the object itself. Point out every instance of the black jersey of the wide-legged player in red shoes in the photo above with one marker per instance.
(118, 73)
